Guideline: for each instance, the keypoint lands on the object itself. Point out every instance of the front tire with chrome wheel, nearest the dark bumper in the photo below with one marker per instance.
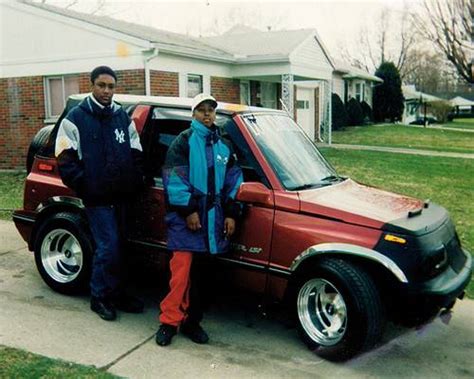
(339, 310)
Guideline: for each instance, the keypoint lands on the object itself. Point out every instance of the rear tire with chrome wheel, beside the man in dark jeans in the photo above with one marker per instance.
(63, 253)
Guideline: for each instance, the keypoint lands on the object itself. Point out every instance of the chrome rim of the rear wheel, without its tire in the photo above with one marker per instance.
(61, 255)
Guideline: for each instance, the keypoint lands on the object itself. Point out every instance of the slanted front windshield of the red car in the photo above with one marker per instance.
(294, 157)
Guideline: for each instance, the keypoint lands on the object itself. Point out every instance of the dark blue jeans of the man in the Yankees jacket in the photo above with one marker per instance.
(104, 225)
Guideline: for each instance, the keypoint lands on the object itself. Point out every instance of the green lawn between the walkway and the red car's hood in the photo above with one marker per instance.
(446, 181)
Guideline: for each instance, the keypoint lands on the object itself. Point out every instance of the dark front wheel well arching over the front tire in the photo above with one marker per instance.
(383, 278)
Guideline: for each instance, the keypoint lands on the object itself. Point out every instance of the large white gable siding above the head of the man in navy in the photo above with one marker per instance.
(35, 43)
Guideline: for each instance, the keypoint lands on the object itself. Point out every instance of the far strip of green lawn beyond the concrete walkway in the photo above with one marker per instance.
(406, 137)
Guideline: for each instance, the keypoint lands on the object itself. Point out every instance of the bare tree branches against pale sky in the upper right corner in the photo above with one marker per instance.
(448, 25)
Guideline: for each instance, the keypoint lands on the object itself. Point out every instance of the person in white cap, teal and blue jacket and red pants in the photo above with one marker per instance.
(201, 179)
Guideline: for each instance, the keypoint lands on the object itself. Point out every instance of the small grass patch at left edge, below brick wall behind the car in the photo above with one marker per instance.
(11, 193)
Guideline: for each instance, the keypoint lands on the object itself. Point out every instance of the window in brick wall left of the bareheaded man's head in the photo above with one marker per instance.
(58, 88)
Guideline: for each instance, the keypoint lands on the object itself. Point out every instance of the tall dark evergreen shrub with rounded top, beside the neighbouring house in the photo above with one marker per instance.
(388, 96)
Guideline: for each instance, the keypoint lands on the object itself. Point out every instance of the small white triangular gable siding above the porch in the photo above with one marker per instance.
(310, 56)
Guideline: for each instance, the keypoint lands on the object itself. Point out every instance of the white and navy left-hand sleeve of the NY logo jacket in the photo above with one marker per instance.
(69, 156)
